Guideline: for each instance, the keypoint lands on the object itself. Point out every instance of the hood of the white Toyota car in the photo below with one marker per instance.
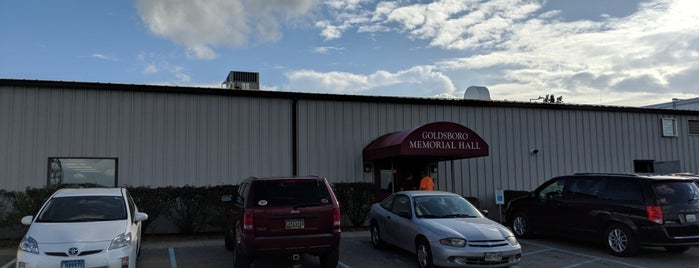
(76, 232)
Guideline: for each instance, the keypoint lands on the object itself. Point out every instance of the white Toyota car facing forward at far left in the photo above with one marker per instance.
(78, 228)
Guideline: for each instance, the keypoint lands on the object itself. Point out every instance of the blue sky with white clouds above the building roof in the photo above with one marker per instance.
(598, 52)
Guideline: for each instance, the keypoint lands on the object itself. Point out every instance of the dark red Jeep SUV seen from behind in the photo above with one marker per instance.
(289, 216)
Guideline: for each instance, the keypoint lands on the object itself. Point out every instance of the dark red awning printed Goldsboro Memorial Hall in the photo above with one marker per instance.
(439, 140)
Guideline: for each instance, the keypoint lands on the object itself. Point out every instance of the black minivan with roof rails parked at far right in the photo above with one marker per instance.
(623, 211)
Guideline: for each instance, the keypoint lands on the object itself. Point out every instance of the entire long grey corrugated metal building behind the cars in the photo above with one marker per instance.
(139, 135)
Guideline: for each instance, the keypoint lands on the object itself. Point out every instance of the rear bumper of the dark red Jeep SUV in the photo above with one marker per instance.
(311, 244)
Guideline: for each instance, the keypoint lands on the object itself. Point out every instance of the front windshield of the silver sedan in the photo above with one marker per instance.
(444, 207)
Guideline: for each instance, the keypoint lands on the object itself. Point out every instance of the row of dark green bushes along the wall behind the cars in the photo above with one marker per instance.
(196, 209)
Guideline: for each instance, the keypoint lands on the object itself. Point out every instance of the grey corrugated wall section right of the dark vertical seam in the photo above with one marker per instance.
(334, 133)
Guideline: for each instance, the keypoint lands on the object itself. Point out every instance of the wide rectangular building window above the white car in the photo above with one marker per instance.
(87, 172)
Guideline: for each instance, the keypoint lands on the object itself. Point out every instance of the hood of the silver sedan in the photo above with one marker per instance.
(468, 228)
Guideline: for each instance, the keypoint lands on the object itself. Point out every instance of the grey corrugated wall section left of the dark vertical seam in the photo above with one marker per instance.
(159, 139)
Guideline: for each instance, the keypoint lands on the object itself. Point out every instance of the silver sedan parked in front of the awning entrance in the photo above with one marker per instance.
(442, 229)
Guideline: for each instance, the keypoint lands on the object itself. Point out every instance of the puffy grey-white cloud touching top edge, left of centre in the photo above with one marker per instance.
(204, 24)
